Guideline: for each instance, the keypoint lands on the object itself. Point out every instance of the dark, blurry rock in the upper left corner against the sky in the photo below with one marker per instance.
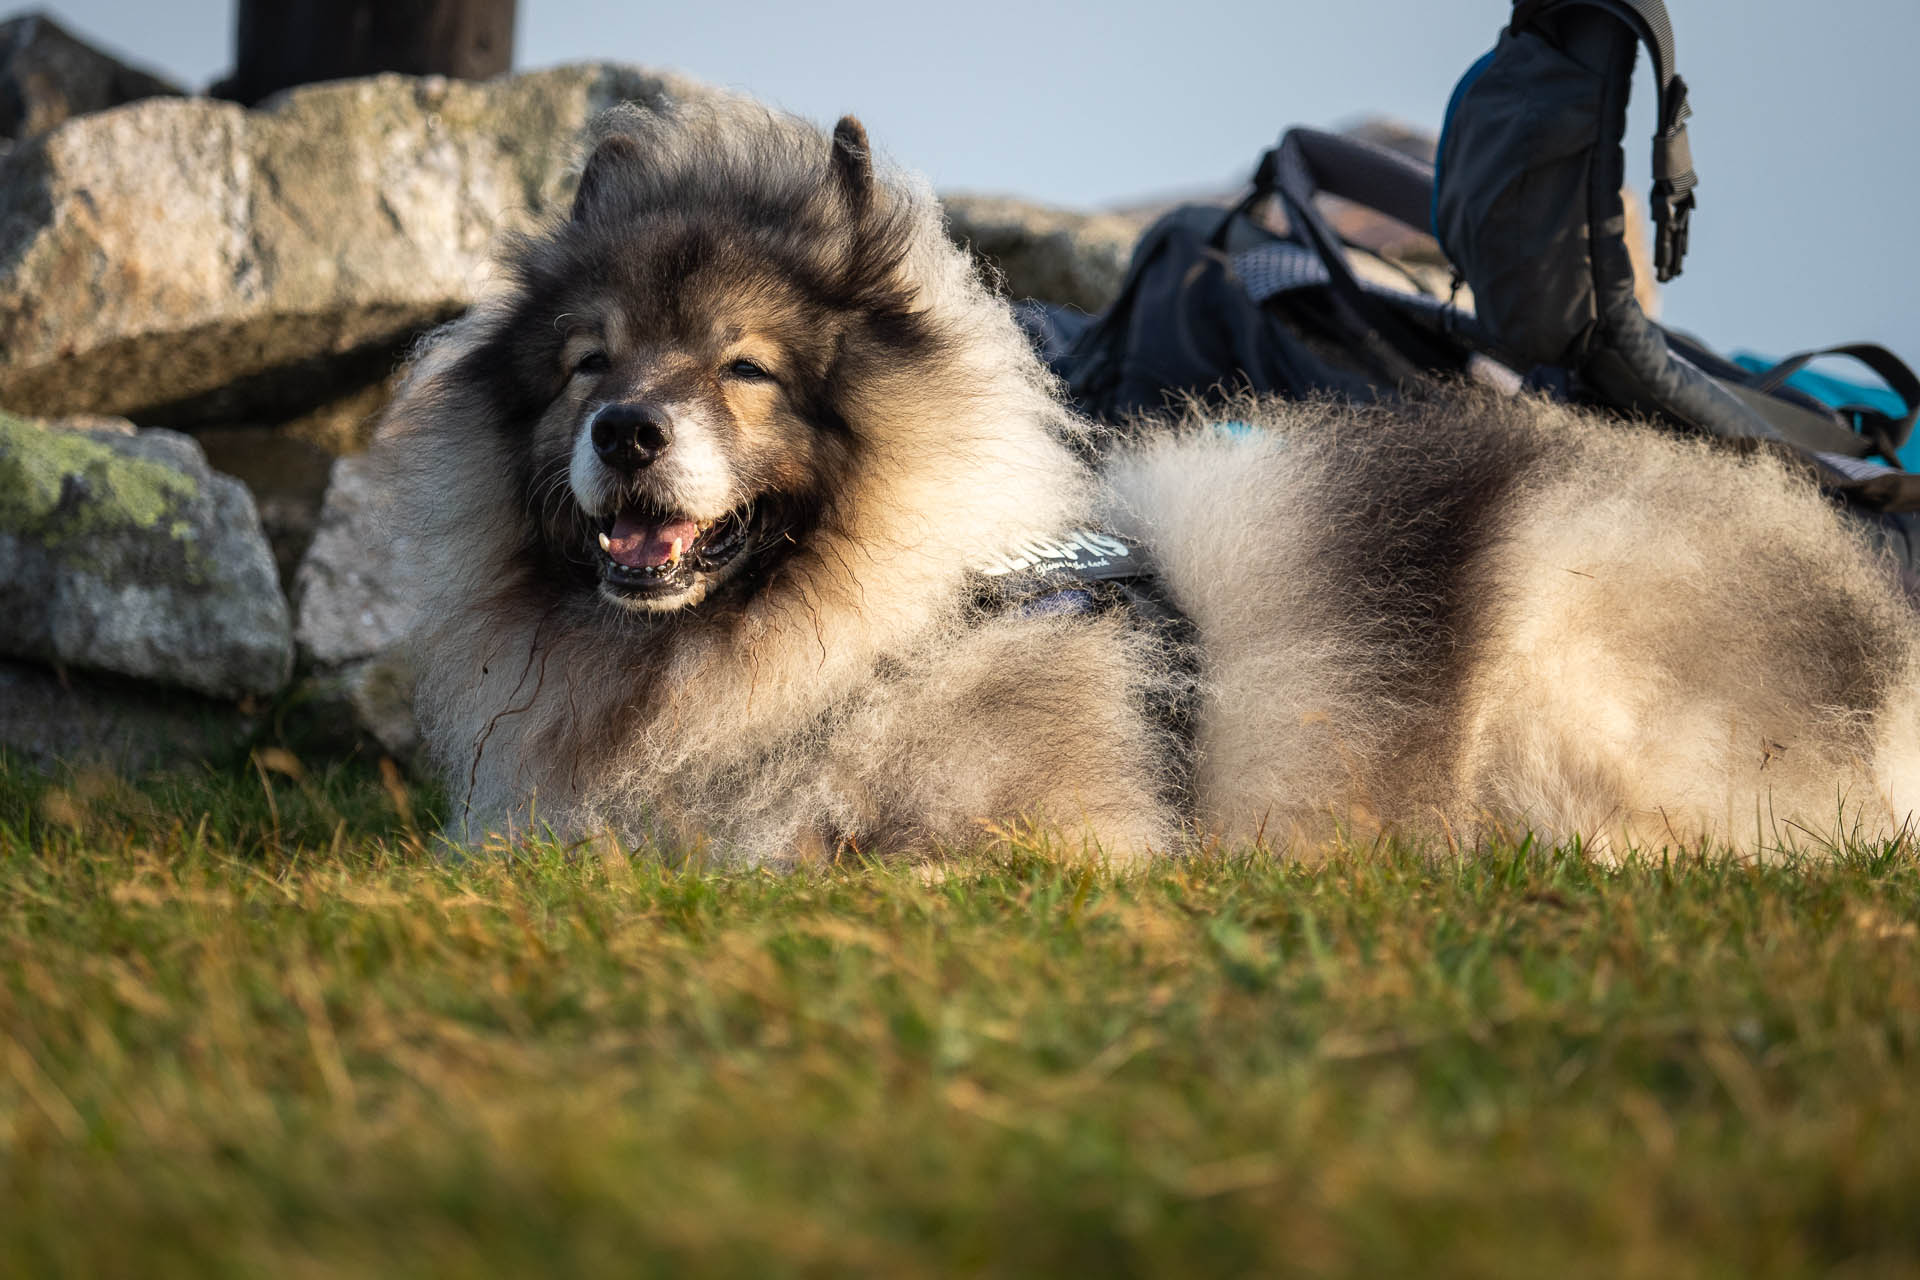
(47, 78)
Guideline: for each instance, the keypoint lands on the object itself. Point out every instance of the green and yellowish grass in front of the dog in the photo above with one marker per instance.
(252, 1026)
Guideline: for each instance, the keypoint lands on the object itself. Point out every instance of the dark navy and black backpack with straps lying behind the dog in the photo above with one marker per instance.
(1525, 201)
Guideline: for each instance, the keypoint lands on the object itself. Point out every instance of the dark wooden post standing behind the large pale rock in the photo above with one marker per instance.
(285, 43)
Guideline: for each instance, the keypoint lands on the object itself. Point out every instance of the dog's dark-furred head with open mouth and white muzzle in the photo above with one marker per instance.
(679, 358)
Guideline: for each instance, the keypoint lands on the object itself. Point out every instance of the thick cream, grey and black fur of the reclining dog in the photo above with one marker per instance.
(1435, 619)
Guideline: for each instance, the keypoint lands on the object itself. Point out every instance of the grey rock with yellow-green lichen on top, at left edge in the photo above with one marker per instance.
(122, 552)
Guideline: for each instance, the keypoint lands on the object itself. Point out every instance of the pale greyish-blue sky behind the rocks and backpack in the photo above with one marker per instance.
(1806, 116)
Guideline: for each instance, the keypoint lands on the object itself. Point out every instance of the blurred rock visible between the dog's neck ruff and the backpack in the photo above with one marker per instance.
(1042, 252)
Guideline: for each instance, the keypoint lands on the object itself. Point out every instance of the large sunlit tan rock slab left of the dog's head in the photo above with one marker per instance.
(189, 262)
